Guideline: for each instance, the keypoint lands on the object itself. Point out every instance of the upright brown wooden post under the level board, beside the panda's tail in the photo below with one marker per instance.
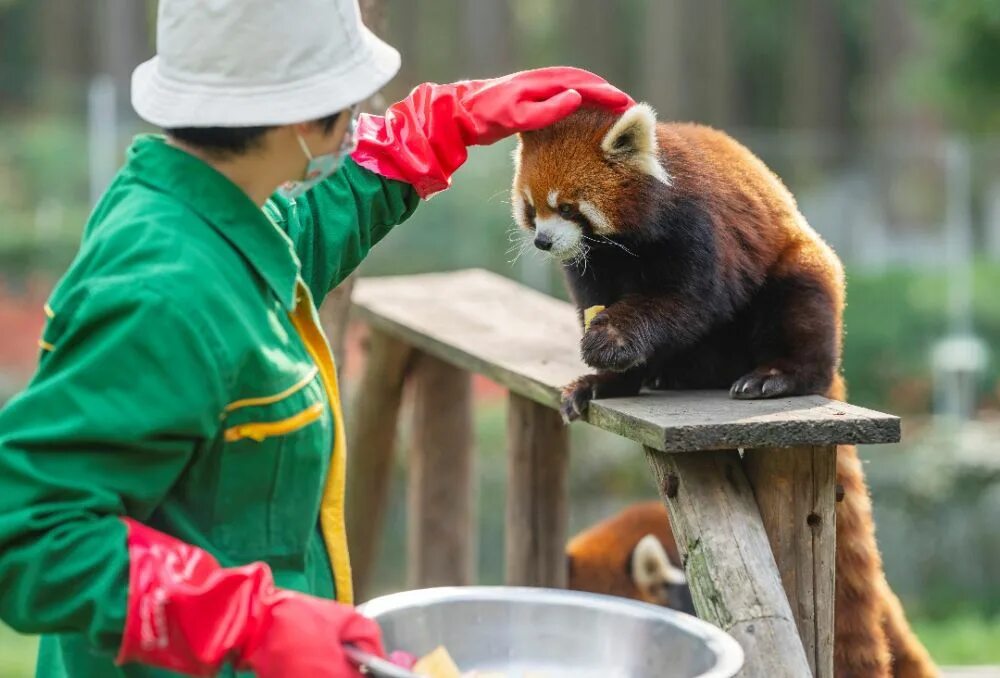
(796, 493)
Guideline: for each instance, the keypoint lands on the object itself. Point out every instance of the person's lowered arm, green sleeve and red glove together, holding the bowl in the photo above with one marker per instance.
(129, 389)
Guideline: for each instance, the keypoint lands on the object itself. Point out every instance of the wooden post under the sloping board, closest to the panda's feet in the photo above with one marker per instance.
(537, 465)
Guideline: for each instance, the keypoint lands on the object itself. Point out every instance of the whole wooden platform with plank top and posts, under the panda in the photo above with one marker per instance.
(749, 485)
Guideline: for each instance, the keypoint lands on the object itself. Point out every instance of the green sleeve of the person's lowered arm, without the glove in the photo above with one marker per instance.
(106, 426)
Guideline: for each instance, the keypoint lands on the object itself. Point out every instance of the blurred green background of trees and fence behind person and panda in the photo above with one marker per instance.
(883, 117)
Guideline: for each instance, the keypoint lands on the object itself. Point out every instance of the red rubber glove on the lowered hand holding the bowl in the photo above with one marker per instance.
(188, 614)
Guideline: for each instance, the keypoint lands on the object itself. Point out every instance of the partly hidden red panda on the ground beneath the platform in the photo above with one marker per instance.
(633, 555)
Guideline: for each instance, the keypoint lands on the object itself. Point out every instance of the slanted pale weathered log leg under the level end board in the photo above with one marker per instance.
(733, 576)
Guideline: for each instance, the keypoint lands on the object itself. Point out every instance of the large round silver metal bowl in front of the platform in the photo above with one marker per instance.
(548, 633)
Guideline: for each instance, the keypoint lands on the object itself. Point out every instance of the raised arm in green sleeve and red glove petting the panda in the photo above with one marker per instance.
(412, 151)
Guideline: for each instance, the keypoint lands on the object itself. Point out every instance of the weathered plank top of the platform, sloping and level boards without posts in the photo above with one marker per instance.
(528, 342)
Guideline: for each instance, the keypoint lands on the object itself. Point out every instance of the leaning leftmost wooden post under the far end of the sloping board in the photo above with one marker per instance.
(371, 444)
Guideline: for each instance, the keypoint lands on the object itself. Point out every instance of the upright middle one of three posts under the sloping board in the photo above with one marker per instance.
(440, 494)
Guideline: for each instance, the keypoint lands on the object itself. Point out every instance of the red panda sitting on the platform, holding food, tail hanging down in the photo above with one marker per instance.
(710, 278)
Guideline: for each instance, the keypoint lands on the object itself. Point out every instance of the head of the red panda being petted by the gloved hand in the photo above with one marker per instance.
(586, 178)
